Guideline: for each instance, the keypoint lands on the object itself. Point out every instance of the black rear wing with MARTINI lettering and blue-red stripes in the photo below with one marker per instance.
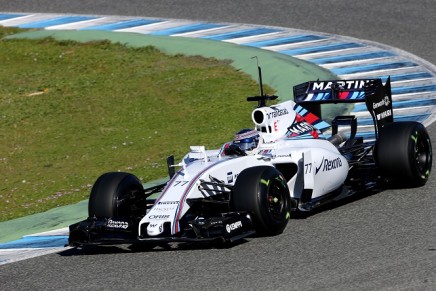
(378, 97)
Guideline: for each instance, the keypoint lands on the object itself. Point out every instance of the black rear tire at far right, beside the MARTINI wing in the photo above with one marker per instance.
(403, 152)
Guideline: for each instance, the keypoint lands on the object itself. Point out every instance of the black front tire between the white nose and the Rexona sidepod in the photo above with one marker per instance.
(262, 192)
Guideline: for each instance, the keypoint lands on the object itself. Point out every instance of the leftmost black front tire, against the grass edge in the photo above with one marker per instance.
(115, 194)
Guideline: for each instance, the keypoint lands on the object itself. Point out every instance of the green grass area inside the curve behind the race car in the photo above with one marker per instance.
(72, 111)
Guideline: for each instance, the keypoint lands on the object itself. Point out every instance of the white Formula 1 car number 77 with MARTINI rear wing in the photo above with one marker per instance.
(230, 193)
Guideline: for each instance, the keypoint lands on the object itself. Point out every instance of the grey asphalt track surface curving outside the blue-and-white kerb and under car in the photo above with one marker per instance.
(383, 241)
